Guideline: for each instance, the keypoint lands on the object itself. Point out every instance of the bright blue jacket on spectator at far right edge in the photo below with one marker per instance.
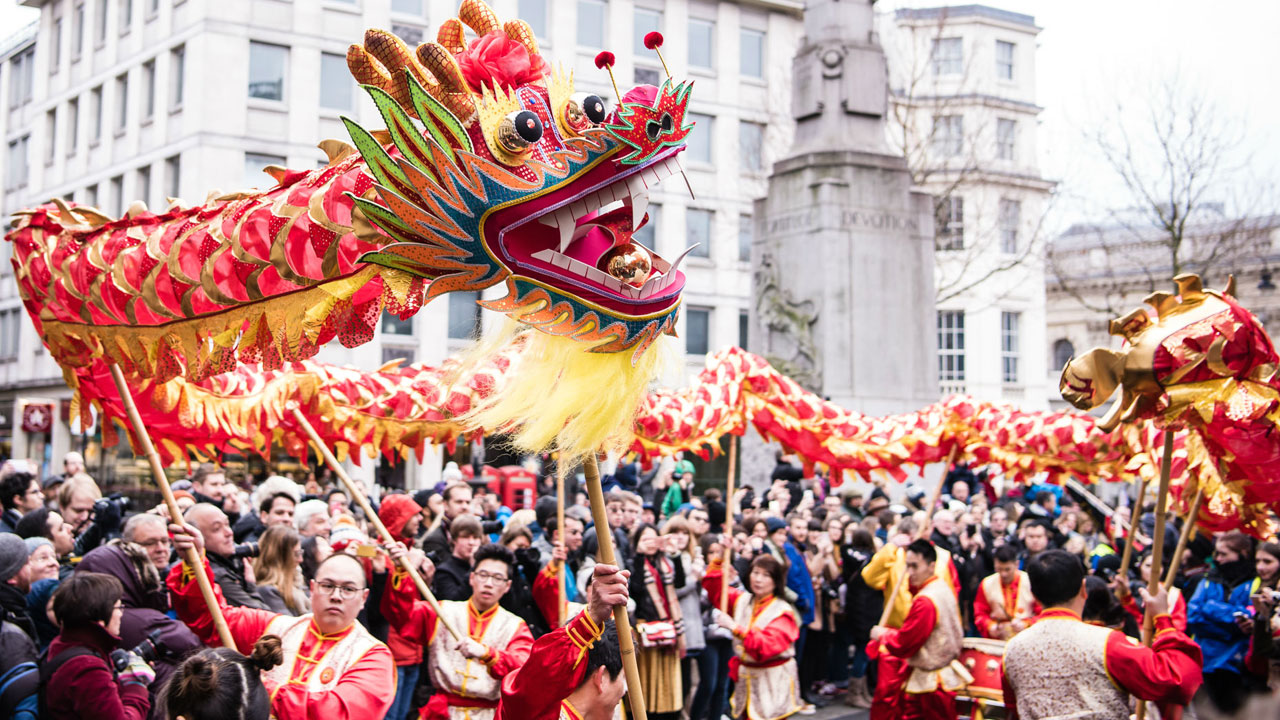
(1212, 622)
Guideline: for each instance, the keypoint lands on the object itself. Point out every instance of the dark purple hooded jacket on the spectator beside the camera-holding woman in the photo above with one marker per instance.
(147, 603)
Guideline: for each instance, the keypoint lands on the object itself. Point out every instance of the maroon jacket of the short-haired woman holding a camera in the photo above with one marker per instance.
(85, 686)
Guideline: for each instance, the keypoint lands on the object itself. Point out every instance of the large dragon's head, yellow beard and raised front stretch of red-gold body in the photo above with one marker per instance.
(492, 170)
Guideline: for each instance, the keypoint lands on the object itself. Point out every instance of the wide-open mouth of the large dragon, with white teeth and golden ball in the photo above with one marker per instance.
(566, 238)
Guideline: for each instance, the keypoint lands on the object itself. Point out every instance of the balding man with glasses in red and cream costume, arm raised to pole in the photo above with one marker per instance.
(333, 668)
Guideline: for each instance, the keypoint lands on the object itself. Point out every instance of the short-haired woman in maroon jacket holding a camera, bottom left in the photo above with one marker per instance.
(81, 681)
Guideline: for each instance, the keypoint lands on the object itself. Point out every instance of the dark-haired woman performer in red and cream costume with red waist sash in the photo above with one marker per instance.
(765, 634)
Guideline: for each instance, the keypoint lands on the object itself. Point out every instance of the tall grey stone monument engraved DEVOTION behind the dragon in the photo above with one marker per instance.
(843, 259)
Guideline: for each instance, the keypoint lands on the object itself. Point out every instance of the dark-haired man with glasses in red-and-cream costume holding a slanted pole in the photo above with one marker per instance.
(468, 676)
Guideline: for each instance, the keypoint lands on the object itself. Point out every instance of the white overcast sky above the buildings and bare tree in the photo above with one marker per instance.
(1096, 53)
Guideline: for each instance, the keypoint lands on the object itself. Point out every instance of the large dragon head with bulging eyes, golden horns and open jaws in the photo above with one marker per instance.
(493, 170)
